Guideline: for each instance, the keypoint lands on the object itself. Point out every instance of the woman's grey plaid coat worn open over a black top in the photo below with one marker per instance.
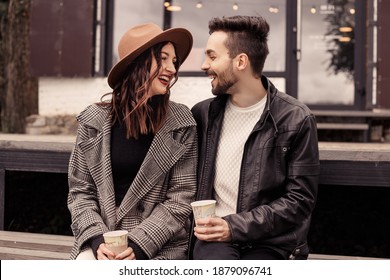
(156, 208)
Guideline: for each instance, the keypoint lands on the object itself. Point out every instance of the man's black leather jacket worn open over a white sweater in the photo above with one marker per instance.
(279, 172)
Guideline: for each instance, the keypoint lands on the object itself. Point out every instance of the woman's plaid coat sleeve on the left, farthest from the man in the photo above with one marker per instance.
(82, 197)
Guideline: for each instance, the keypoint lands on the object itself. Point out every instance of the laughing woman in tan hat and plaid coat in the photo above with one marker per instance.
(134, 163)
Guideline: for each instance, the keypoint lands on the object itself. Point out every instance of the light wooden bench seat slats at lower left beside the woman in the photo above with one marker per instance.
(34, 246)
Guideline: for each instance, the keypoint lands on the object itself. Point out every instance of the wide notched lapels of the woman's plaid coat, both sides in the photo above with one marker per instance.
(163, 153)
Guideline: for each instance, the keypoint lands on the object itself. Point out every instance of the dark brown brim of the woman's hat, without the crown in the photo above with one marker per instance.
(179, 37)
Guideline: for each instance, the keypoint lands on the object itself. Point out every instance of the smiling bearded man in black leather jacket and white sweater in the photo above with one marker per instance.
(258, 152)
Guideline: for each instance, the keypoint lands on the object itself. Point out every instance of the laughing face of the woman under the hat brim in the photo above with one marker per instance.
(167, 72)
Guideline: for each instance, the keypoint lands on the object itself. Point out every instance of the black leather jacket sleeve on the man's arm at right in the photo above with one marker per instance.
(288, 213)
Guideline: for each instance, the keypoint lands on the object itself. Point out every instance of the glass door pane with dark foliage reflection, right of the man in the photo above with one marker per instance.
(326, 54)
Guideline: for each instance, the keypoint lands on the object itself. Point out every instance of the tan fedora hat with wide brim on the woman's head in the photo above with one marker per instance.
(141, 37)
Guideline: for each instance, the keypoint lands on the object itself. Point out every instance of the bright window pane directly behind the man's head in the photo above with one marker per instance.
(195, 16)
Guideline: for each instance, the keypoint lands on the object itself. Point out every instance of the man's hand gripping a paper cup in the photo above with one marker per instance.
(212, 229)
